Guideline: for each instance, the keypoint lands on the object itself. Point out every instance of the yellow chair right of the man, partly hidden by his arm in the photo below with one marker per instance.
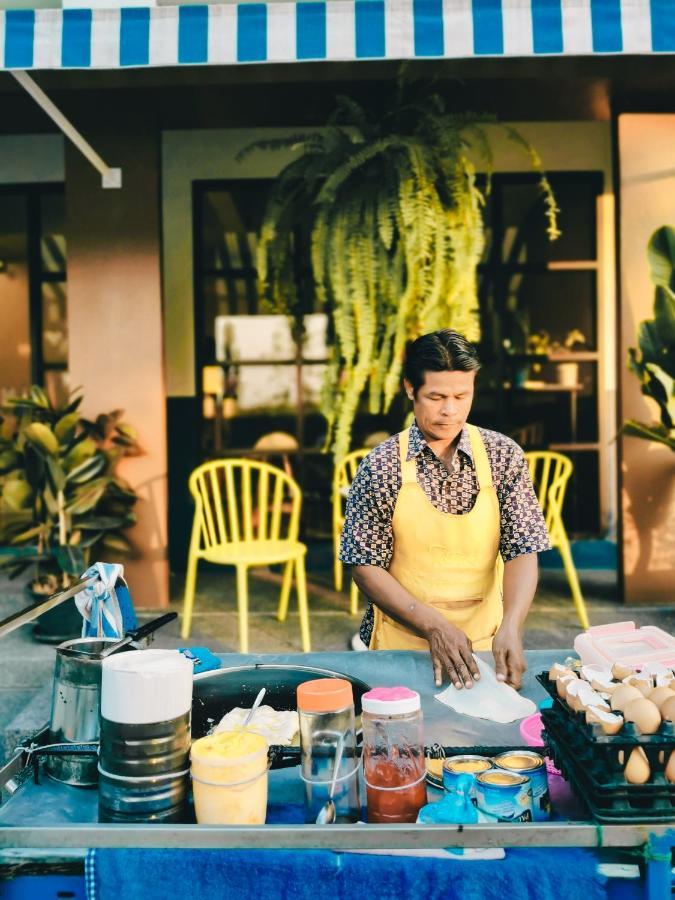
(550, 473)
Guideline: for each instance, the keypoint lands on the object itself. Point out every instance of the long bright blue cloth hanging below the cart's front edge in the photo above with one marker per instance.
(542, 874)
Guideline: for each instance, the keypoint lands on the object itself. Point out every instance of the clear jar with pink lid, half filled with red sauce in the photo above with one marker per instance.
(393, 754)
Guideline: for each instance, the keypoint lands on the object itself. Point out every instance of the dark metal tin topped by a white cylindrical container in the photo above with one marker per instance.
(146, 702)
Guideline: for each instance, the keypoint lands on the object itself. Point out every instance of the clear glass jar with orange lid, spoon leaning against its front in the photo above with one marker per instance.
(327, 729)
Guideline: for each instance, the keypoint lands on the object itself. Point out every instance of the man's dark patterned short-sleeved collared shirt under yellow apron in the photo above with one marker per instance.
(367, 535)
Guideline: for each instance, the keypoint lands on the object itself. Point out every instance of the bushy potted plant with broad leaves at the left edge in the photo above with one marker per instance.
(61, 502)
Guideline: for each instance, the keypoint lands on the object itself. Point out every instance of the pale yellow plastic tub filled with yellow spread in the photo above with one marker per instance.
(229, 778)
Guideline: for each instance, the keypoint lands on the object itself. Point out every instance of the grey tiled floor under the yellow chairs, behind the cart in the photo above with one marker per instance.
(26, 666)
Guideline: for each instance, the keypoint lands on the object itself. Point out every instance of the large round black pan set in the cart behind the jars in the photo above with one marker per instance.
(216, 693)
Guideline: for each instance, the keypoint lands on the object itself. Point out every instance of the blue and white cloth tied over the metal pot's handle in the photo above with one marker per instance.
(106, 606)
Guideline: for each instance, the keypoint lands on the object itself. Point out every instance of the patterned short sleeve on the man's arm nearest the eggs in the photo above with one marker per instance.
(523, 529)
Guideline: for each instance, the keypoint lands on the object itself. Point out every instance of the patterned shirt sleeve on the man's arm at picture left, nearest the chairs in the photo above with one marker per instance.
(367, 538)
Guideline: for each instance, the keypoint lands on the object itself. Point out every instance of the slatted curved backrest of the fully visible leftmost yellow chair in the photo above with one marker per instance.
(242, 500)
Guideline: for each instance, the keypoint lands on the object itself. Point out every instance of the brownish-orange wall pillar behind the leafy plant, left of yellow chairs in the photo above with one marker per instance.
(115, 323)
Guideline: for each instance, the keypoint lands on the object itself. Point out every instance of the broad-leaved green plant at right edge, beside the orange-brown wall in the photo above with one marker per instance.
(653, 361)
